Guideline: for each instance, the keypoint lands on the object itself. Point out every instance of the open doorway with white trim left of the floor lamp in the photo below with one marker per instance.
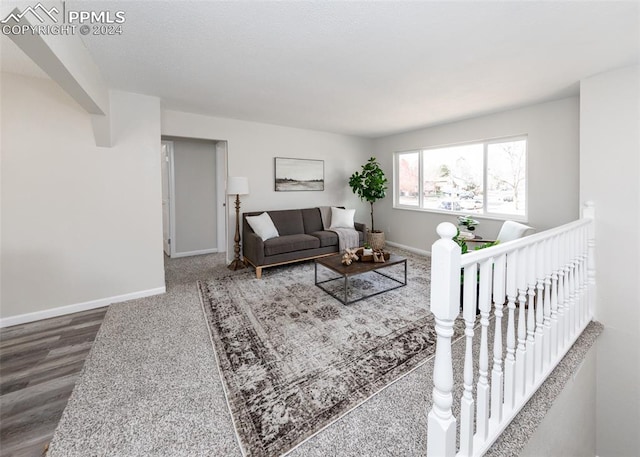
(193, 198)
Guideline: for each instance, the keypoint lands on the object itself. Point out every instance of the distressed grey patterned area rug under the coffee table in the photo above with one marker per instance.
(294, 359)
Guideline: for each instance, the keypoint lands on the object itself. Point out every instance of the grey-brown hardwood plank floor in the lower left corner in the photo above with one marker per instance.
(39, 365)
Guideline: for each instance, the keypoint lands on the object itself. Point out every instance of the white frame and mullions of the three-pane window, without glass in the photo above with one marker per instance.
(485, 214)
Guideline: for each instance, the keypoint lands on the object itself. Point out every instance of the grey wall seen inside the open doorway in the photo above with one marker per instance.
(195, 196)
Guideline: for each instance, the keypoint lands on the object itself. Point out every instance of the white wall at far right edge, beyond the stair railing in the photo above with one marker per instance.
(610, 176)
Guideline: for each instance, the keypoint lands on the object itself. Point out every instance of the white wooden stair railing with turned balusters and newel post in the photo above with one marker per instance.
(545, 285)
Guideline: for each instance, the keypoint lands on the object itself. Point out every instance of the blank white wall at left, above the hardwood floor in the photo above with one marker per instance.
(80, 224)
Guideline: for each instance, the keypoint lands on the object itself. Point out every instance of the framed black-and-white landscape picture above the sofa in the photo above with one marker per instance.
(298, 174)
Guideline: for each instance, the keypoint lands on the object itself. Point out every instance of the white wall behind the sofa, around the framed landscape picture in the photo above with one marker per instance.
(251, 150)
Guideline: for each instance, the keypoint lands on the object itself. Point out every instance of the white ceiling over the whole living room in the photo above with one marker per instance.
(362, 68)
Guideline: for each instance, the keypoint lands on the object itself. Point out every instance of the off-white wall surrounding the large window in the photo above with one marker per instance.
(553, 140)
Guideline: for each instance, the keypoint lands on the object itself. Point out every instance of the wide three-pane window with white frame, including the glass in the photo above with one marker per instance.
(486, 178)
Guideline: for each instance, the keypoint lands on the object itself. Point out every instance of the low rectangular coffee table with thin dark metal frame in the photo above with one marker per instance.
(346, 272)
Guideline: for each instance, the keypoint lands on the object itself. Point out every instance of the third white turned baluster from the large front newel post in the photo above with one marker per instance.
(496, 372)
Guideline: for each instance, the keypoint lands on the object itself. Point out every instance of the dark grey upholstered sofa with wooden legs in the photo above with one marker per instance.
(302, 237)
